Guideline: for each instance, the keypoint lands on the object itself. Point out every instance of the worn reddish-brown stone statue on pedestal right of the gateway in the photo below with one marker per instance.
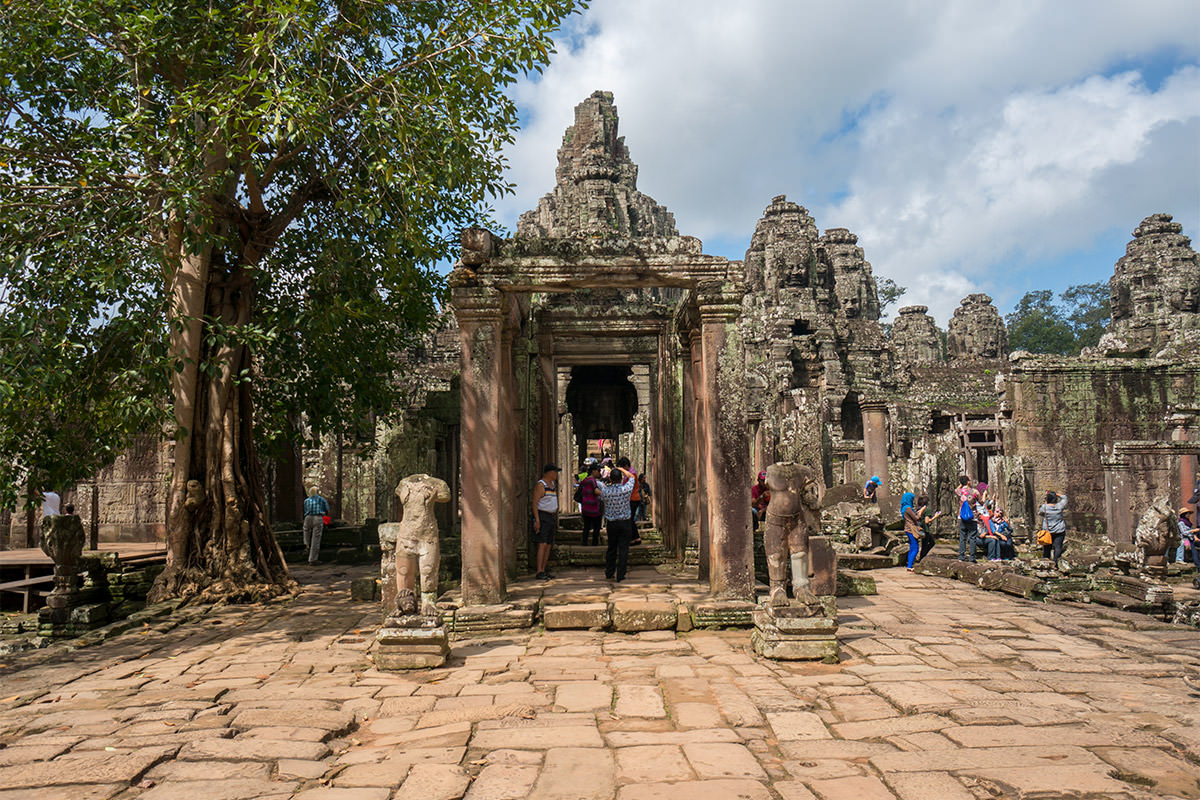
(794, 513)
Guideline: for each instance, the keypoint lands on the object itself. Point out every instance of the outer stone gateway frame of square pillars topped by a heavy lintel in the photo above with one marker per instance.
(490, 290)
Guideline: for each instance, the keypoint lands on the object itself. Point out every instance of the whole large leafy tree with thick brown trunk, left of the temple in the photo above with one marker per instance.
(209, 137)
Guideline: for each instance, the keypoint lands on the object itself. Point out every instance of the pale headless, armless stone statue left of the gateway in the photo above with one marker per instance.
(418, 552)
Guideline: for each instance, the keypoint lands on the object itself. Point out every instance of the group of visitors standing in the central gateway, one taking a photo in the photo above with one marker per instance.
(605, 491)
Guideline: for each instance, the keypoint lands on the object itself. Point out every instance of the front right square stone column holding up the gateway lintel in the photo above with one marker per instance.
(728, 468)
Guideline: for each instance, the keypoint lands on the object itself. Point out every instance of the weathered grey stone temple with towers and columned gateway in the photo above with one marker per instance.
(598, 320)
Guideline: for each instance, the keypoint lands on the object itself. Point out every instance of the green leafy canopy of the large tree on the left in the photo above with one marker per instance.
(321, 153)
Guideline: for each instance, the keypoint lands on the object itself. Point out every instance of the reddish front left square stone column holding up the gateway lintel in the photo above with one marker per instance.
(481, 329)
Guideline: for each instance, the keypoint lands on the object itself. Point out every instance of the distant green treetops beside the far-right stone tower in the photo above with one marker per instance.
(1064, 327)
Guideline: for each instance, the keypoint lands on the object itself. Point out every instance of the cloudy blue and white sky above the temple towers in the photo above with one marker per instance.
(973, 146)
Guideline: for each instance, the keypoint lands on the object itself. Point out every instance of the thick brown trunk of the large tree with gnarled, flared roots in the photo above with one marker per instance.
(219, 539)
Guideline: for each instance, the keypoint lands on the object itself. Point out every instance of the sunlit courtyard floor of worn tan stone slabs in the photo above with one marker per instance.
(945, 693)
